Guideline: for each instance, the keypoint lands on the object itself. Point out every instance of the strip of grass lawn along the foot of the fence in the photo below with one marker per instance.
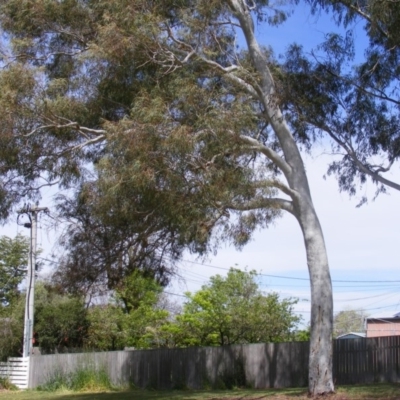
(354, 392)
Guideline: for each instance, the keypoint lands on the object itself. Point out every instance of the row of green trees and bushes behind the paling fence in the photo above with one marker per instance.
(227, 310)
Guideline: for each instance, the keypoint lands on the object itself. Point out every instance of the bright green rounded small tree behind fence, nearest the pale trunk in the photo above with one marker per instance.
(232, 310)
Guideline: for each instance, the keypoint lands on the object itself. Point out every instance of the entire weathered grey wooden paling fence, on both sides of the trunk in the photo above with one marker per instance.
(255, 365)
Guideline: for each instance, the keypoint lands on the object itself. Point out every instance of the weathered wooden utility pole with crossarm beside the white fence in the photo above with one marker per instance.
(32, 212)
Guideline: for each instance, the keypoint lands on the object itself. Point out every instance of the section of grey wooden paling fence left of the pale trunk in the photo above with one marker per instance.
(256, 365)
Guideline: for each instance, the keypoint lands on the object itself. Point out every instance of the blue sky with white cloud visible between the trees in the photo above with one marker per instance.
(362, 243)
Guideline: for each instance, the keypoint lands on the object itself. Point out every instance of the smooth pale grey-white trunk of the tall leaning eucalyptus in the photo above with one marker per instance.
(291, 164)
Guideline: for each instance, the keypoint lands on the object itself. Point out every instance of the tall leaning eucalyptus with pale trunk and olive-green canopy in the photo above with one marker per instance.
(184, 129)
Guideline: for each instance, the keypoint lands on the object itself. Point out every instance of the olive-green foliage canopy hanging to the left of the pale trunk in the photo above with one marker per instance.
(168, 159)
